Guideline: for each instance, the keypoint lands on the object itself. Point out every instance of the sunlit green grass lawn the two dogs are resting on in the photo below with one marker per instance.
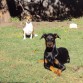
(19, 58)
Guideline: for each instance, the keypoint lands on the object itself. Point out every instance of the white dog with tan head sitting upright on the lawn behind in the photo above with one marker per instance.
(28, 29)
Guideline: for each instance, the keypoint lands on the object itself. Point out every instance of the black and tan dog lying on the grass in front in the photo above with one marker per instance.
(54, 57)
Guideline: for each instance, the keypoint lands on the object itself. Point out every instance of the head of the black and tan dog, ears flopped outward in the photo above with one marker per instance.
(50, 39)
